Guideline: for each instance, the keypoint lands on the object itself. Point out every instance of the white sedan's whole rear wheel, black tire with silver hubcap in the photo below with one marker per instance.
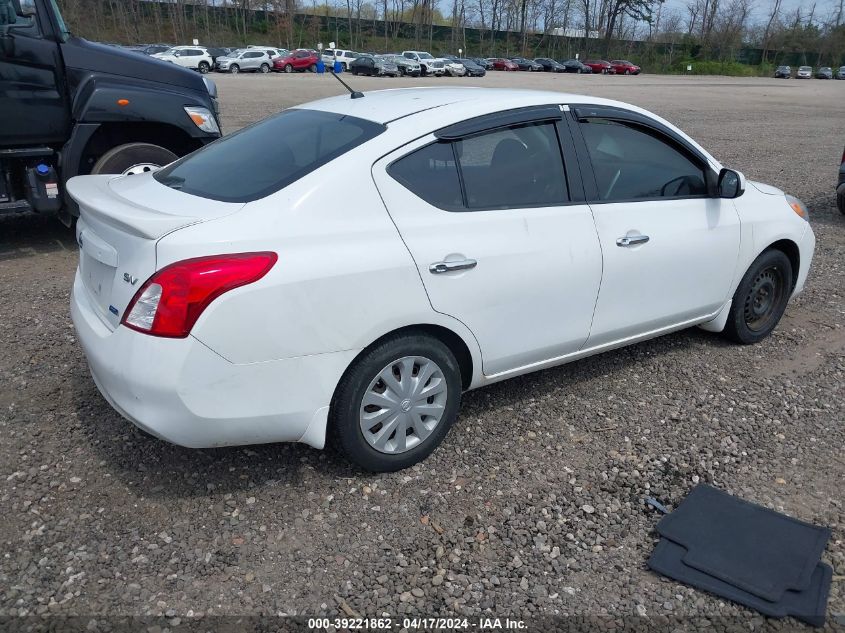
(396, 403)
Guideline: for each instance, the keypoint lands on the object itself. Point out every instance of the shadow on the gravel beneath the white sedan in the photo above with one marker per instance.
(159, 470)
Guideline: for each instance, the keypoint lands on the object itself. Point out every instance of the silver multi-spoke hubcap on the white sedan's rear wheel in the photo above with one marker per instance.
(403, 404)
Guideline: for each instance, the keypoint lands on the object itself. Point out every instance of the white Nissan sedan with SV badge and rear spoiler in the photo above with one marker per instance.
(343, 270)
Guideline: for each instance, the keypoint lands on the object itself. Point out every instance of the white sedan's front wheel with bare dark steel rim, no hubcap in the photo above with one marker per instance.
(761, 298)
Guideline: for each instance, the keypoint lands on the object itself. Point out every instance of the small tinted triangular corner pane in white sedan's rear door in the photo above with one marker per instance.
(431, 174)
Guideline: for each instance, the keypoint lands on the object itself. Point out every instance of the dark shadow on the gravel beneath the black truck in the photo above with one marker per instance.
(30, 234)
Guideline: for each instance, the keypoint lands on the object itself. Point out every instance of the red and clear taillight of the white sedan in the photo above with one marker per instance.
(172, 300)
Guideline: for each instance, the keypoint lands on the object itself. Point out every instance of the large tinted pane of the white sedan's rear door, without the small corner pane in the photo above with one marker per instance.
(518, 166)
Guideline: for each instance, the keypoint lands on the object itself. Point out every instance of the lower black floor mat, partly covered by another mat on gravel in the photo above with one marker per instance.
(809, 605)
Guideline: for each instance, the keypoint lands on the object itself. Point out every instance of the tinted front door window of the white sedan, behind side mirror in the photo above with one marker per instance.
(631, 162)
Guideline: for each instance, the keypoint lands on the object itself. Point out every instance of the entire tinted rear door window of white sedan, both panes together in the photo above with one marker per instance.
(519, 166)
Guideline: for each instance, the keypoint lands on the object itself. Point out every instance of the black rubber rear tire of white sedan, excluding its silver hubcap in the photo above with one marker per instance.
(344, 419)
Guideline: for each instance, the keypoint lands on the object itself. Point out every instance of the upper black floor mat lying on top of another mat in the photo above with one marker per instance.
(747, 546)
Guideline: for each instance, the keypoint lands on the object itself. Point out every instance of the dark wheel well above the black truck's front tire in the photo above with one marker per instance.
(110, 135)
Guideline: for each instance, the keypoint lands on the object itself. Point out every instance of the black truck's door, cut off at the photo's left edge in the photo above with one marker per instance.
(34, 108)
